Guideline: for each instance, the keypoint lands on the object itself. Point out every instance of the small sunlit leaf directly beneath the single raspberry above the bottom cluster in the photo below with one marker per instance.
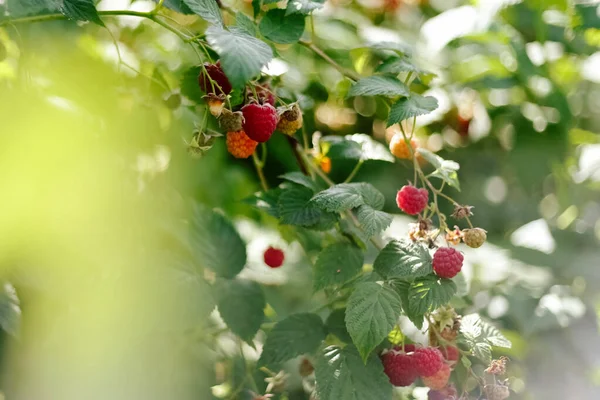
(428, 293)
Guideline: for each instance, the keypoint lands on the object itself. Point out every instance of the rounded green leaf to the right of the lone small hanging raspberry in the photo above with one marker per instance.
(336, 264)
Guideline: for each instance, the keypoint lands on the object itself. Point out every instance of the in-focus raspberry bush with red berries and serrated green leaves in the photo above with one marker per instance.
(384, 311)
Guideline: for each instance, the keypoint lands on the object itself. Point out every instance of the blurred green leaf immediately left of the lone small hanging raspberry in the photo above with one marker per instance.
(217, 244)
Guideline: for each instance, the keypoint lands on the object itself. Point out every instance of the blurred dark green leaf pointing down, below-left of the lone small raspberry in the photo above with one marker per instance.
(241, 305)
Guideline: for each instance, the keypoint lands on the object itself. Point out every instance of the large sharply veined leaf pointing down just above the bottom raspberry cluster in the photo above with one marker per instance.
(372, 312)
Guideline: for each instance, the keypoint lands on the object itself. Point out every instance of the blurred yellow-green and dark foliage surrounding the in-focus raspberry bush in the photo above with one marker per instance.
(83, 107)
